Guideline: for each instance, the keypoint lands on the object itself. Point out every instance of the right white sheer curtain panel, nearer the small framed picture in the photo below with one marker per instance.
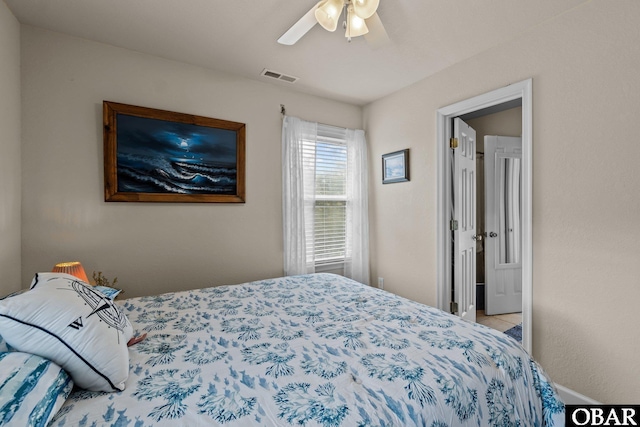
(357, 228)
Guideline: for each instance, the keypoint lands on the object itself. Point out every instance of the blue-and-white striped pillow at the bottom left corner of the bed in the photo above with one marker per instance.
(32, 389)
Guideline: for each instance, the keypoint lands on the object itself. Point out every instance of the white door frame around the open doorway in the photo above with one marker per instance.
(523, 91)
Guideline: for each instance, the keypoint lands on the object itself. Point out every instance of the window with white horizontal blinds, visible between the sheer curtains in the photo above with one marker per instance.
(328, 154)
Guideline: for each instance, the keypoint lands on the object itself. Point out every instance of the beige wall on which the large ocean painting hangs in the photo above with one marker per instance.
(151, 248)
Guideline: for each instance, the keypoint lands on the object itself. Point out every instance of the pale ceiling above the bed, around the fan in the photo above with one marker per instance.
(239, 37)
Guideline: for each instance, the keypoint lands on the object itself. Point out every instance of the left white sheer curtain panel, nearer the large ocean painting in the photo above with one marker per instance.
(296, 208)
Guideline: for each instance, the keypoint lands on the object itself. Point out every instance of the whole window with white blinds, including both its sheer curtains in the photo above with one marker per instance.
(324, 199)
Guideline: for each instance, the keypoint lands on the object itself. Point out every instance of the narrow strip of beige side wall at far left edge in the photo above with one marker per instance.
(10, 148)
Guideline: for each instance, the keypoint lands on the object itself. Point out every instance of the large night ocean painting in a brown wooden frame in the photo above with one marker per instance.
(160, 156)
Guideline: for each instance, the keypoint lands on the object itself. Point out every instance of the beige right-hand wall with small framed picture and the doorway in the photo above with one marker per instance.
(586, 275)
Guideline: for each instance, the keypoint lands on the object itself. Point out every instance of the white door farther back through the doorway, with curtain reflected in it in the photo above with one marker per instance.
(503, 222)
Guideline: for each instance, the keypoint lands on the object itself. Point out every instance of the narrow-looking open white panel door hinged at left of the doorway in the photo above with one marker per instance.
(464, 215)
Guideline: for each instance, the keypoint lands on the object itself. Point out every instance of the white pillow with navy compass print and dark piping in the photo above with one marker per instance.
(64, 320)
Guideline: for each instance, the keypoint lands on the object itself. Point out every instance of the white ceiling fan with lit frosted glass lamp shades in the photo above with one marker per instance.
(360, 19)
